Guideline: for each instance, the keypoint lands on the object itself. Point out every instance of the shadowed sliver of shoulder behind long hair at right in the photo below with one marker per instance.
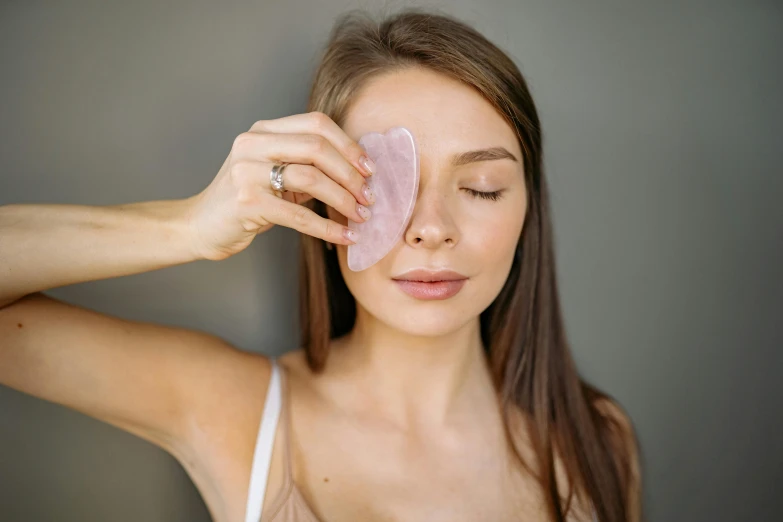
(621, 436)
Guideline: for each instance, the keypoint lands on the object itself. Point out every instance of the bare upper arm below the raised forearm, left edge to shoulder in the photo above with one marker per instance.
(155, 381)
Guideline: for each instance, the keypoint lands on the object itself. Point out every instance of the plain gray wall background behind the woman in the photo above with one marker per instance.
(661, 124)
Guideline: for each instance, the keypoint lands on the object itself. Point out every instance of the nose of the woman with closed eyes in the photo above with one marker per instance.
(432, 223)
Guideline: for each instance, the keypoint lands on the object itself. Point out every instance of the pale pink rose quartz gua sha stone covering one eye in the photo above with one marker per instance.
(395, 185)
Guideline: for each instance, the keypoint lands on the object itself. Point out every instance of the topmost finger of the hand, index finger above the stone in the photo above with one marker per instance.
(319, 123)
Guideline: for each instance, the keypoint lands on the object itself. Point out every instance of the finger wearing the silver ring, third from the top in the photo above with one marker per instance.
(307, 179)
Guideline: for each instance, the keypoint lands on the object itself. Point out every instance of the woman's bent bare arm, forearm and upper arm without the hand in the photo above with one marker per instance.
(164, 384)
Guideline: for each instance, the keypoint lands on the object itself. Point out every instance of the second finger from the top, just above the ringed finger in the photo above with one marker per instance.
(305, 149)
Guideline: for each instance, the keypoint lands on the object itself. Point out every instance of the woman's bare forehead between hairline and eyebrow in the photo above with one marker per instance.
(444, 115)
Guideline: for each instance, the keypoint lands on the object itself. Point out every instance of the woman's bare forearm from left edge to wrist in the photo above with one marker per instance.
(45, 246)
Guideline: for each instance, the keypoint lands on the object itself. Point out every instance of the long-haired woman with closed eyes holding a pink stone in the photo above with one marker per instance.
(397, 407)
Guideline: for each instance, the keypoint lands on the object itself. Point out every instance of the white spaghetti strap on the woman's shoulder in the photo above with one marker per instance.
(262, 456)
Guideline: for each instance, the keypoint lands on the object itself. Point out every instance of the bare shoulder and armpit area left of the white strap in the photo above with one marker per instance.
(226, 389)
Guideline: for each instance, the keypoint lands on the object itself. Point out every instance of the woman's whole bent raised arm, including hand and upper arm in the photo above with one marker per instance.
(156, 381)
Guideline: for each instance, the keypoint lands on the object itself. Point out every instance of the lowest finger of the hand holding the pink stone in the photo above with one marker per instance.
(306, 221)
